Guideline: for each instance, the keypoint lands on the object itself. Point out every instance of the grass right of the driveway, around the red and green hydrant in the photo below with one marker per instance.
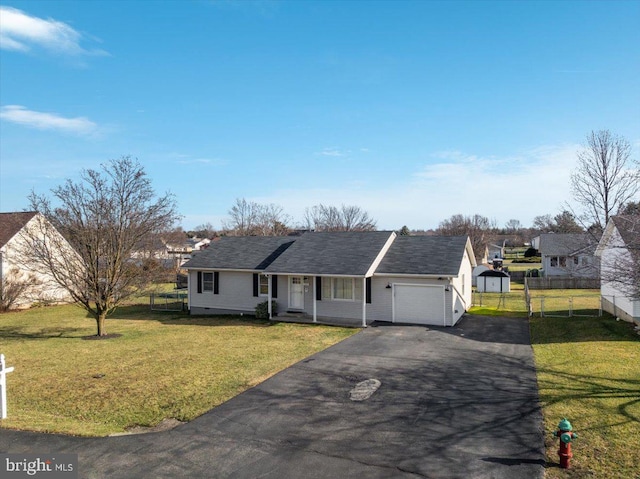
(589, 371)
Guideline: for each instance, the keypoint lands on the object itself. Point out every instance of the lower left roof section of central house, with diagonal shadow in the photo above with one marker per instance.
(241, 252)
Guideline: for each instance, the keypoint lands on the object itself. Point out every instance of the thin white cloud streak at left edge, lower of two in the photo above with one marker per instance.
(47, 121)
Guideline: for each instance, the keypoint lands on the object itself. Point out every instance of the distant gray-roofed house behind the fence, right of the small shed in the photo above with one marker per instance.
(569, 255)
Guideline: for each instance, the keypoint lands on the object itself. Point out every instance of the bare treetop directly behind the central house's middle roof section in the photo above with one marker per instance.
(331, 218)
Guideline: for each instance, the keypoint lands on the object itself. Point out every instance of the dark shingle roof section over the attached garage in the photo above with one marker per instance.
(426, 255)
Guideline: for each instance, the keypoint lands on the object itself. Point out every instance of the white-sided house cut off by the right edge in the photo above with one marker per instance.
(619, 252)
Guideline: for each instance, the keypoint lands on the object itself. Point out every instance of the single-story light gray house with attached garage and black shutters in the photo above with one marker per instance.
(366, 276)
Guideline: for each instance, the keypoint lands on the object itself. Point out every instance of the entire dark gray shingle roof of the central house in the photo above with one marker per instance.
(336, 253)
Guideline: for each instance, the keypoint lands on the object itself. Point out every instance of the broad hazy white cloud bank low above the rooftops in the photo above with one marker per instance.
(533, 183)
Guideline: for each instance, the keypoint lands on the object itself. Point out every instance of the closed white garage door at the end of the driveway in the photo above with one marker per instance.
(419, 304)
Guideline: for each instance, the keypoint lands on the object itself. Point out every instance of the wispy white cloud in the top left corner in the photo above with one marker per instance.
(21, 32)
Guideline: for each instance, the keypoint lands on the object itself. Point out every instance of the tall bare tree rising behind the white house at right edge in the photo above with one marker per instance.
(605, 179)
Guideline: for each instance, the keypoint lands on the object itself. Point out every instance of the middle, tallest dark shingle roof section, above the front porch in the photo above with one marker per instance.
(332, 253)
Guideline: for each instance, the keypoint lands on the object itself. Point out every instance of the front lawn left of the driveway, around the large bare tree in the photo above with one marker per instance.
(164, 365)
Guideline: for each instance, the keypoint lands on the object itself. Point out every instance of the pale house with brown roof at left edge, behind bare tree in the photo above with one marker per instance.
(19, 274)
